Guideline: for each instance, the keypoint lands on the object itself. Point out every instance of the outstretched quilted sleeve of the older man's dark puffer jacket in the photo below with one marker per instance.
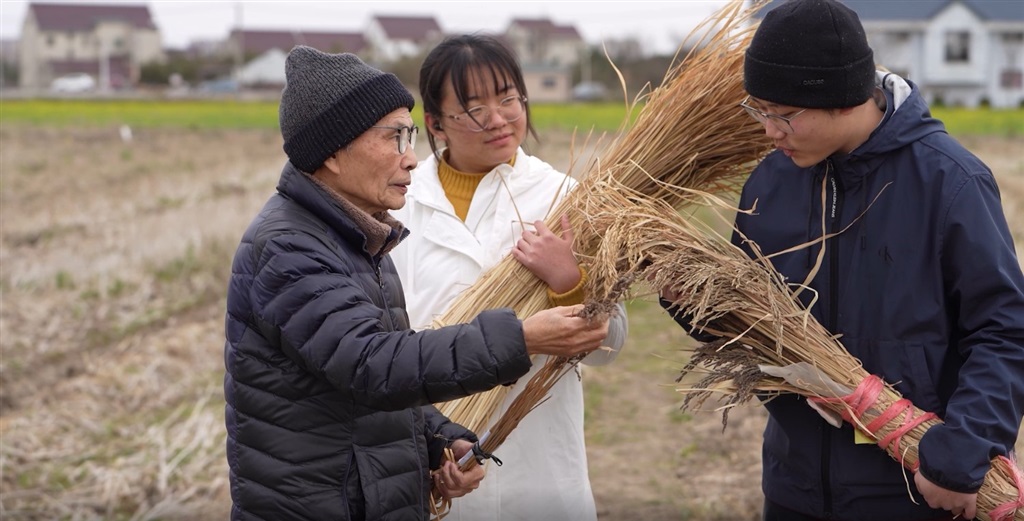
(329, 313)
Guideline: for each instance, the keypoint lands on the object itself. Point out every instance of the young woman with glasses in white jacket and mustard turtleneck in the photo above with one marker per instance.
(472, 203)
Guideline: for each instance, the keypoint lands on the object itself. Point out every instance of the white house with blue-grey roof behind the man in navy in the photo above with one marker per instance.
(961, 53)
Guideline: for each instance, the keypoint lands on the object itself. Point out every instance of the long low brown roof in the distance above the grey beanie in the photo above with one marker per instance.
(255, 44)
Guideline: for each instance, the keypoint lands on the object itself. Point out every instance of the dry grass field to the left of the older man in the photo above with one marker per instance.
(114, 265)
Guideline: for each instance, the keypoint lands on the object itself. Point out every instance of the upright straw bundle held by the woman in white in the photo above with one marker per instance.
(689, 134)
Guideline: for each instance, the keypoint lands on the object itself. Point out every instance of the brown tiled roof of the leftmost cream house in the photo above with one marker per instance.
(86, 17)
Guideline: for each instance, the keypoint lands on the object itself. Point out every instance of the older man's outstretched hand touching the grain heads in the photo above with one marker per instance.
(560, 332)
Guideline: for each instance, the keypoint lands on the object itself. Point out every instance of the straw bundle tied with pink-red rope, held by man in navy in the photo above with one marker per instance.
(771, 343)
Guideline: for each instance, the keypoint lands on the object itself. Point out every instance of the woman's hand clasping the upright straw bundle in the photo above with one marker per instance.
(549, 256)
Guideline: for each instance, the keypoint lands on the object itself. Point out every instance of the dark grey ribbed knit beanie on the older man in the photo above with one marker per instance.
(331, 100)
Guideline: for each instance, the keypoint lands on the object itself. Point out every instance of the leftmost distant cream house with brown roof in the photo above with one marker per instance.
(109, 42)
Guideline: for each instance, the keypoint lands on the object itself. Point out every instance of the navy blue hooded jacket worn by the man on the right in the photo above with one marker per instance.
(924, 288)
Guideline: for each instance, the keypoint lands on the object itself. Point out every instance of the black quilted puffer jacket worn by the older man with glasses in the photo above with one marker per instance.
(325, 384)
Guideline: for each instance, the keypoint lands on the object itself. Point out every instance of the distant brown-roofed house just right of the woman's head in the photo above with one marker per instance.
(540, 41)
